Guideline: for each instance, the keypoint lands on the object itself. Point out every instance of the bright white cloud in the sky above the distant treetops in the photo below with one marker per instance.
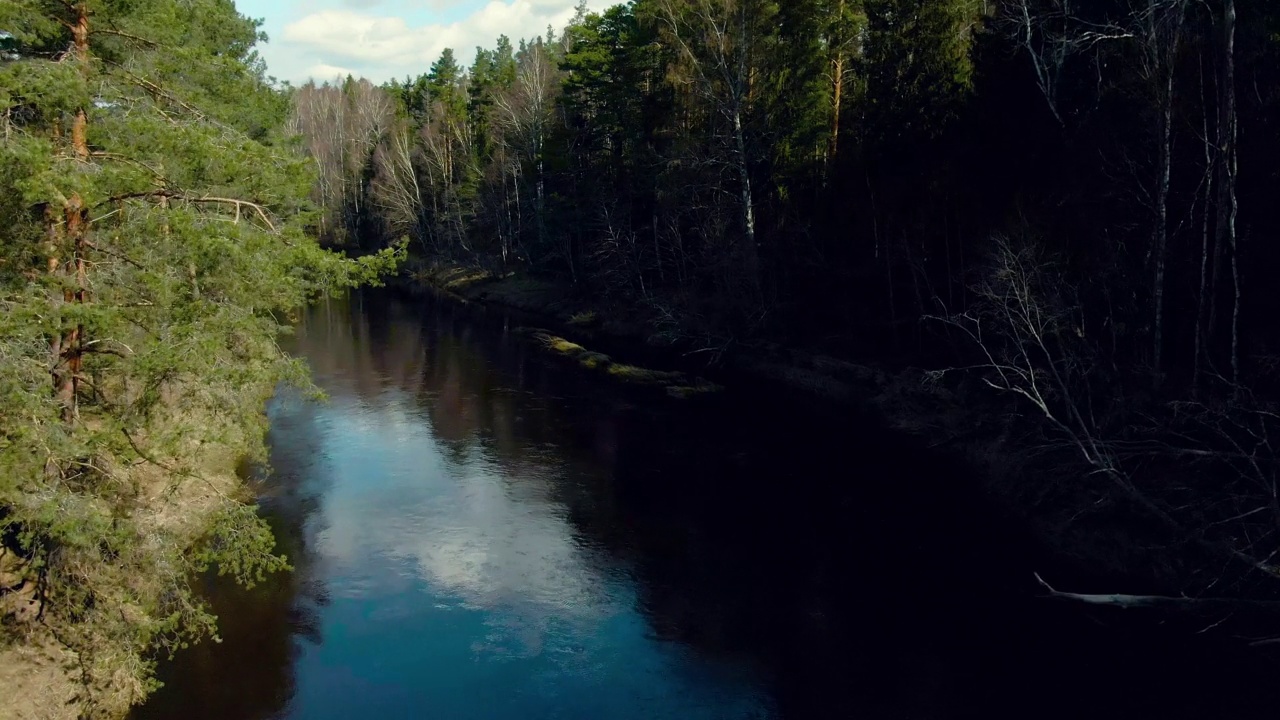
(330, 43)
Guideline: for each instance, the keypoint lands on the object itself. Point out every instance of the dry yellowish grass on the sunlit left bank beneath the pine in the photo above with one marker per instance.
(171, 503)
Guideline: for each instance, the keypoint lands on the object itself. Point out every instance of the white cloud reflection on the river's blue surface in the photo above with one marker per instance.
(479, 535)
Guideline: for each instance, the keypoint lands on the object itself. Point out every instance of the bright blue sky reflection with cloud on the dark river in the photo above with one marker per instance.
(456, 586)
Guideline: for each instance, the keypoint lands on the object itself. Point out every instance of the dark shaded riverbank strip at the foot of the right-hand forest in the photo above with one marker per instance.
(1092, 541)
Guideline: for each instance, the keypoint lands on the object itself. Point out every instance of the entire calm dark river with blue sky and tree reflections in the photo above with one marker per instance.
(482, 532)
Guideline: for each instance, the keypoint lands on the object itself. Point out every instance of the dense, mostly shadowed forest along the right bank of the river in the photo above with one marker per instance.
(1060, 208)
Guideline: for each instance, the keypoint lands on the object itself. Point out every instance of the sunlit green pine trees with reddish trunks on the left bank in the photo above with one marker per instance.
(156, 239)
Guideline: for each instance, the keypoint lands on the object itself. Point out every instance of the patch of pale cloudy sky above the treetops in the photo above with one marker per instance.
(386, 39)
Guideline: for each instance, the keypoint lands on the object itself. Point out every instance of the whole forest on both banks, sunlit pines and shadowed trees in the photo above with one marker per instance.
(1059, 209)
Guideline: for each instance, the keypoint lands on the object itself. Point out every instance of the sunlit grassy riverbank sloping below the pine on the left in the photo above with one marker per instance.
(136, 601)
